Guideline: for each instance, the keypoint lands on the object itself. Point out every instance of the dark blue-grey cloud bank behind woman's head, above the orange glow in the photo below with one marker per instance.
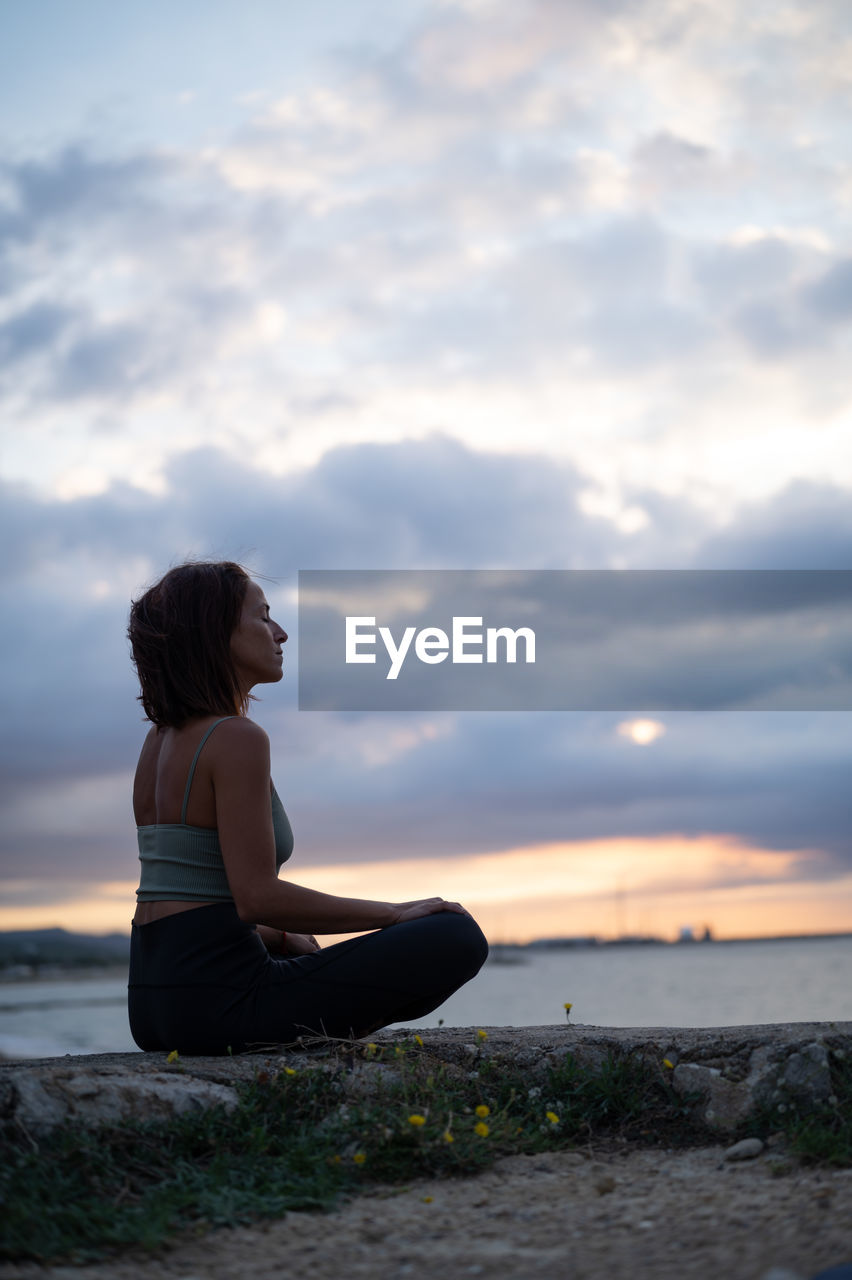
(370, 785)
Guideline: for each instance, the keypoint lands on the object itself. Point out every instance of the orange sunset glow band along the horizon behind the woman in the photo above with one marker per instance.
(604, 889)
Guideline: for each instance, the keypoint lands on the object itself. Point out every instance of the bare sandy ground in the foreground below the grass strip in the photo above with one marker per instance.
(622, 1213)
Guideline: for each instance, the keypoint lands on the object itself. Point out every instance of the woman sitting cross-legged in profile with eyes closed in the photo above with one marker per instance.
(223, 954)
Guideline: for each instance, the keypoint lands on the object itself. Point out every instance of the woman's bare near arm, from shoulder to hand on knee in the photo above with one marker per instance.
(241, 778)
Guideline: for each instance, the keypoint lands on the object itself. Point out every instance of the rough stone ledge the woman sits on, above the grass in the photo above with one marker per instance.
(726, 1073)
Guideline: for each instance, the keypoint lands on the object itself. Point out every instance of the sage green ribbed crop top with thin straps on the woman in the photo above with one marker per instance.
(185, 865)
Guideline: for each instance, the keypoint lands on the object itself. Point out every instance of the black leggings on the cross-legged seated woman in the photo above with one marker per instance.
(203, 982)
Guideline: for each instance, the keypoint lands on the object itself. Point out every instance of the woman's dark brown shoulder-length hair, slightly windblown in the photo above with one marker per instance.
(180, 636)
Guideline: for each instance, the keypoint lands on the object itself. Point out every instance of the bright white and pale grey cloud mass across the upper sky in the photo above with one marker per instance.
(464, 221)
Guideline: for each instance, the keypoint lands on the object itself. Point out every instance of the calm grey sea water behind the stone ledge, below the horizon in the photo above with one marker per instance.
(631, 985)
